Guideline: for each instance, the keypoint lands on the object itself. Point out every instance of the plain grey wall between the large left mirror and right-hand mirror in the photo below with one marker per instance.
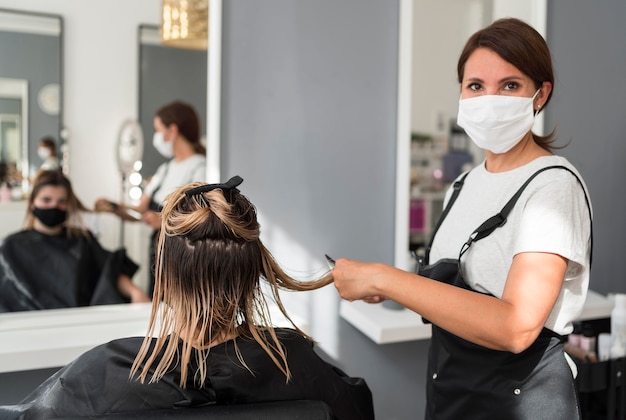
(309, 122)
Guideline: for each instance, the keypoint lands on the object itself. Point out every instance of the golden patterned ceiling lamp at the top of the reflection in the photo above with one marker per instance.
(185, 23)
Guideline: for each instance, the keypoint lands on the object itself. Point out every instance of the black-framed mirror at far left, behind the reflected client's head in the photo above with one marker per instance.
(30, 92)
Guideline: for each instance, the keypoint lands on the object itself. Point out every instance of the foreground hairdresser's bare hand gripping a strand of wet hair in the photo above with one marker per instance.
(359, 280)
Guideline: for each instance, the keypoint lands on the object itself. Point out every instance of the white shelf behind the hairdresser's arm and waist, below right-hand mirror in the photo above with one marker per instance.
(383, 325)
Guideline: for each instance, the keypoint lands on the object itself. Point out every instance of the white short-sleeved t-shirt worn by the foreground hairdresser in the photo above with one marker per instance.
(550, 216)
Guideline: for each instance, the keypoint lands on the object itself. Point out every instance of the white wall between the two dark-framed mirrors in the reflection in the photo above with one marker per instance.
(100, 87)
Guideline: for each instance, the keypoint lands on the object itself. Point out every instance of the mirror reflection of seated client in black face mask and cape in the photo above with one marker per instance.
(55, 262)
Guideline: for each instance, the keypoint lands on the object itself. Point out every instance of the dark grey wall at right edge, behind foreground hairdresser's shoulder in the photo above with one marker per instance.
(588, 43)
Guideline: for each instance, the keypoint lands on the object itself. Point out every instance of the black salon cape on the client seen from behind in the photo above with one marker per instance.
(98, 382)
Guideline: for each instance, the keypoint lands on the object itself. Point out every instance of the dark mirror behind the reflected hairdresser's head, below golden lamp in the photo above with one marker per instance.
(167, 74)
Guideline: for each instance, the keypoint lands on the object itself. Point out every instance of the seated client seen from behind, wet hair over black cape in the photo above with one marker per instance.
(212, 345)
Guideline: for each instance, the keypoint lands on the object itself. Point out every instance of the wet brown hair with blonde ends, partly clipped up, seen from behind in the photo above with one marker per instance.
(209, 265)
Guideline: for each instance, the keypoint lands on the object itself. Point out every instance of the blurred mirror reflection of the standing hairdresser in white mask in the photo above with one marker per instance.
(176, 137)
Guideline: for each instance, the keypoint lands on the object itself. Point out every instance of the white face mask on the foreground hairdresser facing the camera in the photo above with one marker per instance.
(496, 122)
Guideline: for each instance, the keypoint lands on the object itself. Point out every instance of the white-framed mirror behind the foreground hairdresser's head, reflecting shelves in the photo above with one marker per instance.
(427, 104)
